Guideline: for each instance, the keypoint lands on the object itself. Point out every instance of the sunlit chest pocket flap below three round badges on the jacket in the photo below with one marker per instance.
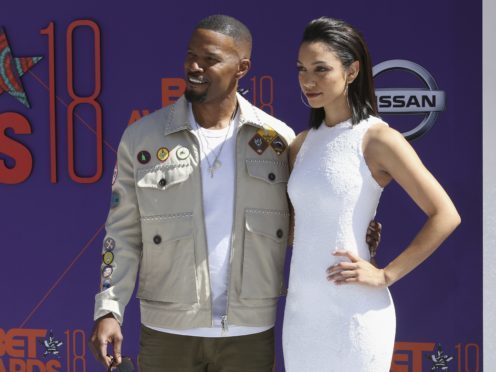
(162, 177)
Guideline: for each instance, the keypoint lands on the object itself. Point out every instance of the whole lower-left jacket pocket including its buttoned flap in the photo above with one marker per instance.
(168, 266)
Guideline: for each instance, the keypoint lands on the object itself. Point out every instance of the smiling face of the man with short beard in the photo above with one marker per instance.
(211, 66)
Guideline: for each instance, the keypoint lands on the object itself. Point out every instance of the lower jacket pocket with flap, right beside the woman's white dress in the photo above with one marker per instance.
(264, 253)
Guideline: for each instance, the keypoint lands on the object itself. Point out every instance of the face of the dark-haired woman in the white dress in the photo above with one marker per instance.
(322, 76)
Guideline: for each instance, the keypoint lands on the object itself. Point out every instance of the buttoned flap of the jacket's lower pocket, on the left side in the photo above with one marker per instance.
(166, 228)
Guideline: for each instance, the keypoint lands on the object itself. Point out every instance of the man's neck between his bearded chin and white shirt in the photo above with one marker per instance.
(215, 115)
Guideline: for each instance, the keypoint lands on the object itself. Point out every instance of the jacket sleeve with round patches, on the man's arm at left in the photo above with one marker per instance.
(122, 245)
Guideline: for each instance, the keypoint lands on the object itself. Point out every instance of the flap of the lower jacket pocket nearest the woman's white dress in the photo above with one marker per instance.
(270, 223)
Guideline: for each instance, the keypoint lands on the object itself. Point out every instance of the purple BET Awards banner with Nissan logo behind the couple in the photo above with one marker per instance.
(74, 76)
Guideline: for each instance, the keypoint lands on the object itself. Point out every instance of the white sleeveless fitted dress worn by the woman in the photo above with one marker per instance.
(329, 327)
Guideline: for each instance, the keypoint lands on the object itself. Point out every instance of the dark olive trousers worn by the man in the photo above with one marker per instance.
(161, 351)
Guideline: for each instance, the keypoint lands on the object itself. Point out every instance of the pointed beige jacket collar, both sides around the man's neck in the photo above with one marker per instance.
(178, 118)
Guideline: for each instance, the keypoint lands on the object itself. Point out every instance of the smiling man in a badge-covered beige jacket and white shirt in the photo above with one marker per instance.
(200, 208)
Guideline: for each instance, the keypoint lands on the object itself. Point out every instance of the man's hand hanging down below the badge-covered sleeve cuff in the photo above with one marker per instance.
(106, 330)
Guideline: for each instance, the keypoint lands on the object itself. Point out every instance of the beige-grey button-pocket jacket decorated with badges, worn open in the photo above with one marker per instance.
(155, 226)
